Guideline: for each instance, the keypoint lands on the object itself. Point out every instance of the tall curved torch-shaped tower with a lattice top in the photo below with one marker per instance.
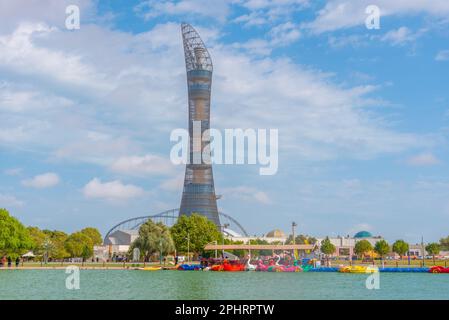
(198, 195)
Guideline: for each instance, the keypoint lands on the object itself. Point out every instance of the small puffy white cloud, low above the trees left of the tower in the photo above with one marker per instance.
(114, 190)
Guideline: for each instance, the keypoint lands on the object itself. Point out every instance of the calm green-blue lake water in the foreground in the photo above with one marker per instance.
(134, 284)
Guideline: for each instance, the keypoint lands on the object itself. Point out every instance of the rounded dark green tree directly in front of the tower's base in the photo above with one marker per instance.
(198, 229)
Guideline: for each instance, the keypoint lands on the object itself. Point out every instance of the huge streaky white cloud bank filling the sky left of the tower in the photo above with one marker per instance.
(47, 110)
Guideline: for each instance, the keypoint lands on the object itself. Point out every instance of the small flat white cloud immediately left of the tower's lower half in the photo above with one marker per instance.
(142, 165)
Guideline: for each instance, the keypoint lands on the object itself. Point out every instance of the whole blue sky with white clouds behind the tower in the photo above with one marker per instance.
(362, 114)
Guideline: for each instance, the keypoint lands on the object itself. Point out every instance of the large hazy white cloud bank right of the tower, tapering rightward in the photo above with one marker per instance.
(334, 121)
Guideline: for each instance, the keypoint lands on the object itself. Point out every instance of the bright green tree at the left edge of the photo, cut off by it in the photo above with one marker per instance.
(14, 237)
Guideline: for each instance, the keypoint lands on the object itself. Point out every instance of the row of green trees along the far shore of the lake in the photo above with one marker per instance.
(189, 233)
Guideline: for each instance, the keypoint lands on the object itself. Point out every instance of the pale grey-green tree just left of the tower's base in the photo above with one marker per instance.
(153, 238)
